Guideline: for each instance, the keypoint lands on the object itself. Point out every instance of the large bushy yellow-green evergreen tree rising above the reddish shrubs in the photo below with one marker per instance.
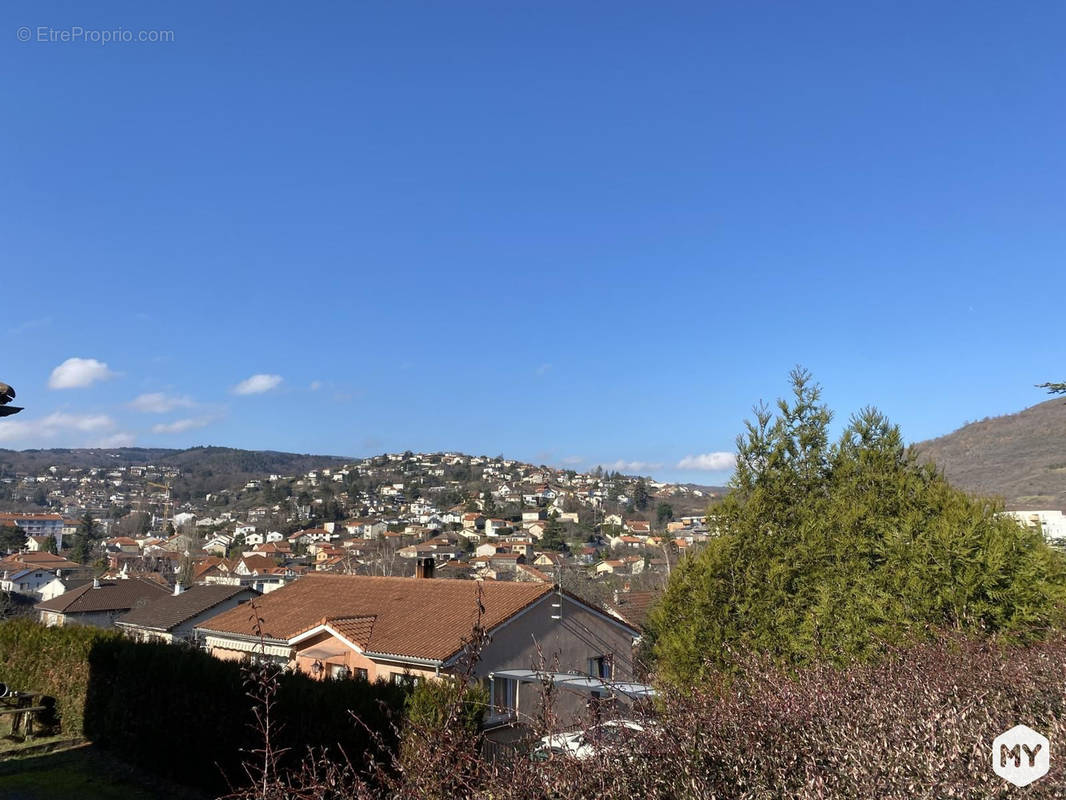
(828, 552)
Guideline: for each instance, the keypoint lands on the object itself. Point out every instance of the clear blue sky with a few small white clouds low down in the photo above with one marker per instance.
(574, 233)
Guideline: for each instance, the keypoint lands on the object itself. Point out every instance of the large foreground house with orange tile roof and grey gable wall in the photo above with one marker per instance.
(410, 630)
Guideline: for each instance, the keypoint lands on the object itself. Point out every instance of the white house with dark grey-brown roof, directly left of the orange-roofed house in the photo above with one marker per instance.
(174, 617)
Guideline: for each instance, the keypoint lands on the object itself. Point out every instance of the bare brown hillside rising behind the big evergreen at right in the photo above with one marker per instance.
(1020, 457)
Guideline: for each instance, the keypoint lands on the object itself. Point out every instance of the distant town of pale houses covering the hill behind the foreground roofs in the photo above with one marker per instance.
(600, 534)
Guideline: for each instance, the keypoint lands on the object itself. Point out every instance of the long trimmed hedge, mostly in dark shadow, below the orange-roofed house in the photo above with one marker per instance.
(183, 714)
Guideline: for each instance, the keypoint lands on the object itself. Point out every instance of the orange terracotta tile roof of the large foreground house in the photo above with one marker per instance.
(419, 618)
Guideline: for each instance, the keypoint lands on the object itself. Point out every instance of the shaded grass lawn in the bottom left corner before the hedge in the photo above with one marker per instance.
(83, 774)
